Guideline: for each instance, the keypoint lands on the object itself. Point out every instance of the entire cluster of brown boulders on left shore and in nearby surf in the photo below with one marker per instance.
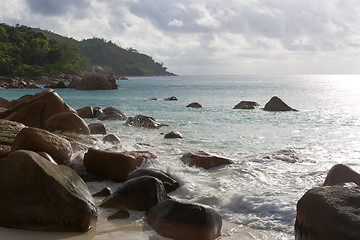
(42, 178)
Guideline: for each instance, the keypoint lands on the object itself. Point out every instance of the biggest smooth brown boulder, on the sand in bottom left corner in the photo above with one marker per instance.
(36, 194)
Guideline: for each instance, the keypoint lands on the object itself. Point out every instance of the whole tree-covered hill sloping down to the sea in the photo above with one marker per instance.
(26, 51)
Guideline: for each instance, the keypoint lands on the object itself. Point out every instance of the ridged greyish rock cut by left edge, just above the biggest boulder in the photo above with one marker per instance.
(8, 132)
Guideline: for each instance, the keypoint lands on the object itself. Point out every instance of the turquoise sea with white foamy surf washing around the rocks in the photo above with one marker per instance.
(278, 156)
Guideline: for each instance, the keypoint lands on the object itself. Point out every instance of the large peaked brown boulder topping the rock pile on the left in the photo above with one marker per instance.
(34, 110)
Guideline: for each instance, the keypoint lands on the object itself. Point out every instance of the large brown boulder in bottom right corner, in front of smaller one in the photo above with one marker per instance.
(328, 213)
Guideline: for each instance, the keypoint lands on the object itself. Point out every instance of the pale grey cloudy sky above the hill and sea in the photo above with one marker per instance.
(211, 36)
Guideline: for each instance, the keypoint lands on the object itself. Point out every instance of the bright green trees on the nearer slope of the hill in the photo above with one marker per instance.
(29, 52)
